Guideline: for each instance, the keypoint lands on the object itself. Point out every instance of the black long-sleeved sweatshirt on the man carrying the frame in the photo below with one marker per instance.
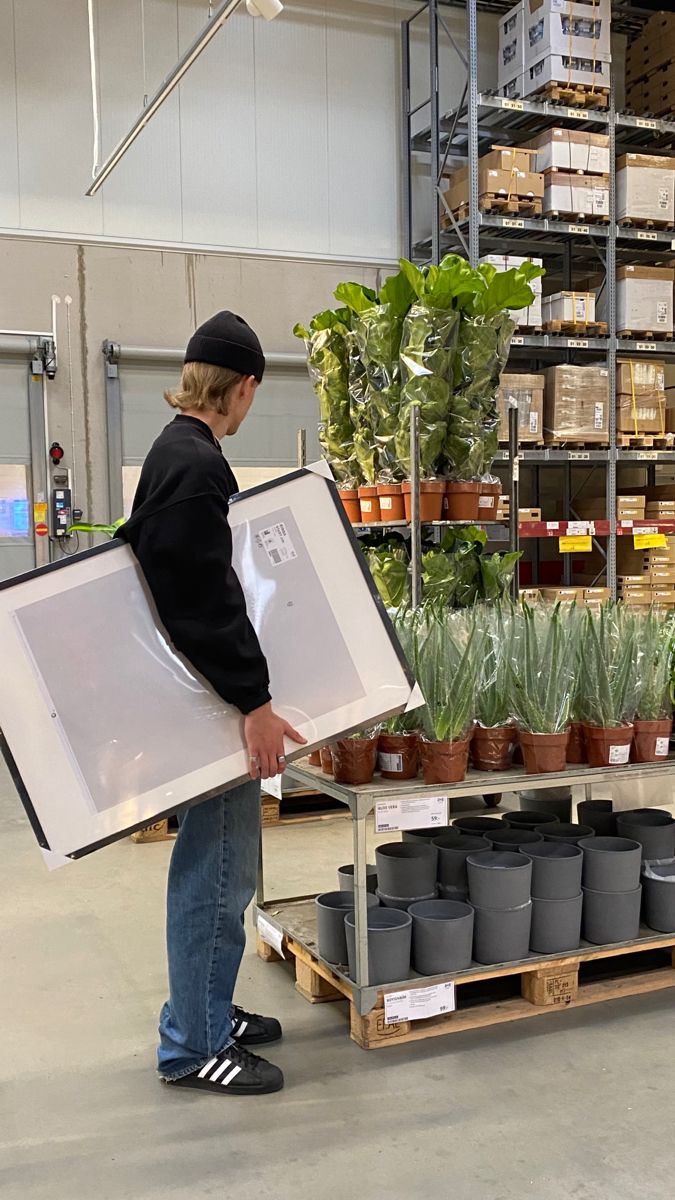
(181, 536)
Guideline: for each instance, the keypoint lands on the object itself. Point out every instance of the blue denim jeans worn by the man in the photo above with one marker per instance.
(211, 885)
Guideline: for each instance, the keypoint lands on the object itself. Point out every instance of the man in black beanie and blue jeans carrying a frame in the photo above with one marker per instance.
(181, 535)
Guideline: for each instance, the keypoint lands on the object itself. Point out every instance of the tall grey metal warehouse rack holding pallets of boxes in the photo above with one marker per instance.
(479, 122)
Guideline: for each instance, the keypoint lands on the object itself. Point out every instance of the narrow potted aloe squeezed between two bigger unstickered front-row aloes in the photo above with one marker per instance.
(494, 733)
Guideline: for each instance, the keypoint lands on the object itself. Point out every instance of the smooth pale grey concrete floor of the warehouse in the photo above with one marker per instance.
(575, 1107)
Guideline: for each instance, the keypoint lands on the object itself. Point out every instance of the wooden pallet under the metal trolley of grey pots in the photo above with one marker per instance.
(492, 997)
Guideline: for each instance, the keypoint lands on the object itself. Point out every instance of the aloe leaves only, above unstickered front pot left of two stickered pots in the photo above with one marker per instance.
(541, 669)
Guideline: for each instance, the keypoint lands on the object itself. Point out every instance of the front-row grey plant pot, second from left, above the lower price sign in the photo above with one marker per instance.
(443, 937)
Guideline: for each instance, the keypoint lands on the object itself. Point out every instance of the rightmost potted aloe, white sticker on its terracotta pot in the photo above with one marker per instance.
(654, 717)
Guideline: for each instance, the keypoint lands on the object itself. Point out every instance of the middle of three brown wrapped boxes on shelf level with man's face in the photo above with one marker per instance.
(576, 405)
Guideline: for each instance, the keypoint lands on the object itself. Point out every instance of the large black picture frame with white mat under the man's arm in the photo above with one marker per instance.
(107, 729)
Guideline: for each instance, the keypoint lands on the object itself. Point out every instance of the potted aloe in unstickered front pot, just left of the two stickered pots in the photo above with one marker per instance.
(541, 686)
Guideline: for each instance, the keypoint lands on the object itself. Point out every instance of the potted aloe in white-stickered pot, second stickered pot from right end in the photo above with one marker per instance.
(611, 665)
